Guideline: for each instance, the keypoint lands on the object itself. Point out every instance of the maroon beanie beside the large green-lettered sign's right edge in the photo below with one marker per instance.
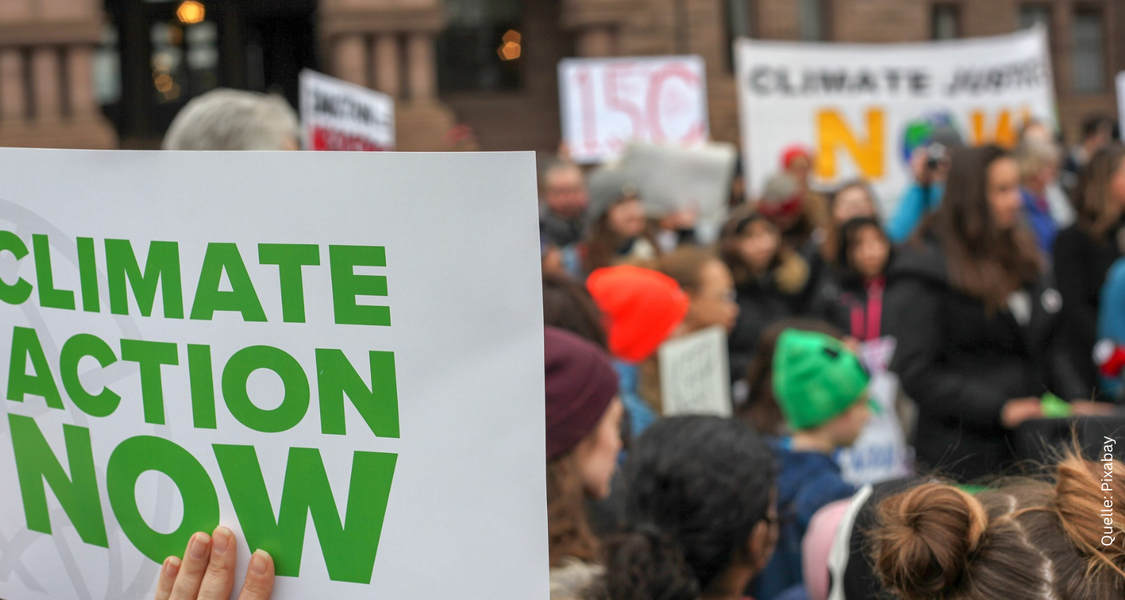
(581, 384)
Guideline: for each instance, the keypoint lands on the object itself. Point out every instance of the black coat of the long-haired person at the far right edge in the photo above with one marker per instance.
(1082, 265)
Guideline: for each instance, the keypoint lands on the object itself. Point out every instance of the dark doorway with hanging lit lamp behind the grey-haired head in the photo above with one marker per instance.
(159, 55)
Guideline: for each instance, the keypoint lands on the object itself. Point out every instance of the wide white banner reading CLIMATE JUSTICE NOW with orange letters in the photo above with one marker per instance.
(866, 109)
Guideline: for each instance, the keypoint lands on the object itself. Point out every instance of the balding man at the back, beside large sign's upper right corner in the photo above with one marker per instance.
(563, 212)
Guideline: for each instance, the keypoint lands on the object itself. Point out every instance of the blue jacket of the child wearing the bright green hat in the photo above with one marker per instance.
(806, 483)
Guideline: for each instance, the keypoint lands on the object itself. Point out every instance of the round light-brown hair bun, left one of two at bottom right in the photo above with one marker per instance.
(928, 539)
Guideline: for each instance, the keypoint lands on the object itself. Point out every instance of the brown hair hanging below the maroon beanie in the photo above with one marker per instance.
(568, 526)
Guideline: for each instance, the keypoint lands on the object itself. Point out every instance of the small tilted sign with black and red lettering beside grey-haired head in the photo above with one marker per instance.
(338, 115)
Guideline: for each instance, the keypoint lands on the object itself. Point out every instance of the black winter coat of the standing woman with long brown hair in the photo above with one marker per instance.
(962, 364)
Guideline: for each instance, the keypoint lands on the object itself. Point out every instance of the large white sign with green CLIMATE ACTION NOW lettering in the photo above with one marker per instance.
(283, 344)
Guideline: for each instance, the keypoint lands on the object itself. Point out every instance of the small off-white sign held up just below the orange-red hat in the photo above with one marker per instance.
(696, 374)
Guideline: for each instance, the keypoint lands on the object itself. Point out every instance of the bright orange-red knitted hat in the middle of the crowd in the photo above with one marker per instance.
(642, 309)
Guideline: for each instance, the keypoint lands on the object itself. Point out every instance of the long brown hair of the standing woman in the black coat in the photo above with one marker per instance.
(985, 262)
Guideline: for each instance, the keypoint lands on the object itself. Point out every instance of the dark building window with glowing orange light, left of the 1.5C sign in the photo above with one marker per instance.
(481, 48)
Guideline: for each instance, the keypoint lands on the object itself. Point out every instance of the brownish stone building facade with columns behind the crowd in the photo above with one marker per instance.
(79, 74)
